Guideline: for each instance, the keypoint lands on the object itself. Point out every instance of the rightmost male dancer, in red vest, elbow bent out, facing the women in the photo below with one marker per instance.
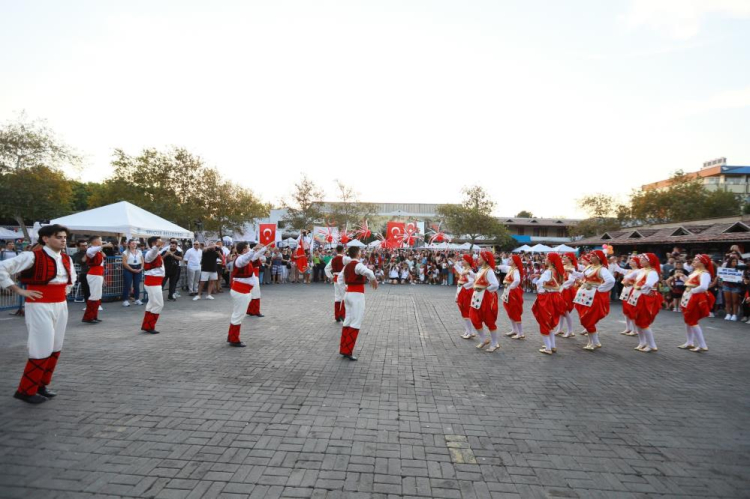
(356, 276)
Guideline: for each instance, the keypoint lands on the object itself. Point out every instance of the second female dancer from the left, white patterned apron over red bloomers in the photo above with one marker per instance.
(484, 299)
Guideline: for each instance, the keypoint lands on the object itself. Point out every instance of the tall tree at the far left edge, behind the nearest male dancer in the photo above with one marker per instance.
(32, 184)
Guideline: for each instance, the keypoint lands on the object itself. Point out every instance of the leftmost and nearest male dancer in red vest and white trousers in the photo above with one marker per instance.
(47, 274)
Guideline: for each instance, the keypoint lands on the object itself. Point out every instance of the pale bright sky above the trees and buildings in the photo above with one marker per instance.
(539, 102)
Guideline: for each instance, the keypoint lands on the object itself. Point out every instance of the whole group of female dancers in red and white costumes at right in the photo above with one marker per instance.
(584, 286)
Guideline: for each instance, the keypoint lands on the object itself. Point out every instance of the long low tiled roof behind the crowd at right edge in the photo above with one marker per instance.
(699, 233)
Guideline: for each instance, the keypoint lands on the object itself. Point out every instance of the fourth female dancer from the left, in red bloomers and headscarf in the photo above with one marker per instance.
(549, 304)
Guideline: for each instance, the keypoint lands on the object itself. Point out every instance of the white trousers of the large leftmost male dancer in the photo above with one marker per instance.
(46, 325)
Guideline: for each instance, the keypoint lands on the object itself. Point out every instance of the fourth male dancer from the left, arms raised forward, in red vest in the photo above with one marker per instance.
(243, 281)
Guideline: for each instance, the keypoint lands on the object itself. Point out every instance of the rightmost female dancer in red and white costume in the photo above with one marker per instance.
(699, 304)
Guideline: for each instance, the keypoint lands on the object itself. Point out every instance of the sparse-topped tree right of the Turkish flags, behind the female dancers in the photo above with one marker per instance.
(473, 217)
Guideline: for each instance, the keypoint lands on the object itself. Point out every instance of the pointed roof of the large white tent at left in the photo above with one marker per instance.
(125, 219)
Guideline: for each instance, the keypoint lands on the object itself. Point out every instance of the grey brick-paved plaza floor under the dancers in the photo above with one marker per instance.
(422, 414)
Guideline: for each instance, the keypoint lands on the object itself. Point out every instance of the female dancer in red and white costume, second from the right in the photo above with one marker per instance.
(649, 302)
